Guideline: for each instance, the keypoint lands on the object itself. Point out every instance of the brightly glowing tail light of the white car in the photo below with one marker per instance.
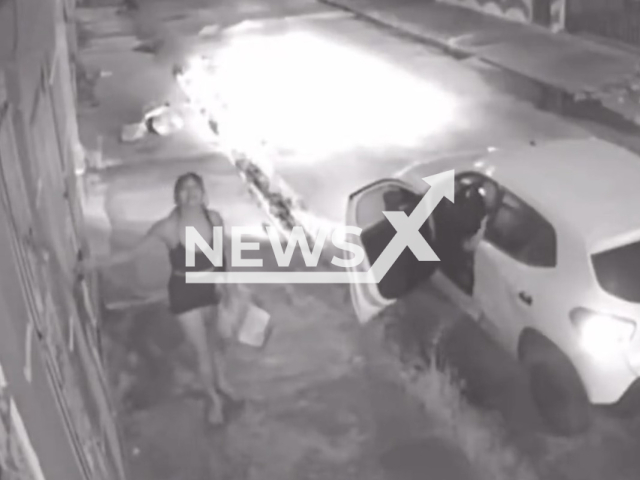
(602, 332)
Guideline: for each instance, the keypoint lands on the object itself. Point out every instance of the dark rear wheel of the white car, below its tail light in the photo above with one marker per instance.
(556, 388)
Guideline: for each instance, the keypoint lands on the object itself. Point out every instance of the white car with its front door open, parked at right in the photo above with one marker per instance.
(556, 277)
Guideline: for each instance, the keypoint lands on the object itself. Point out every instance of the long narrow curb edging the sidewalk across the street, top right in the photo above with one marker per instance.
(554, 98)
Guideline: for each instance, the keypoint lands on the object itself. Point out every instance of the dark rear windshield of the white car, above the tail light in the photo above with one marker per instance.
(618, 271)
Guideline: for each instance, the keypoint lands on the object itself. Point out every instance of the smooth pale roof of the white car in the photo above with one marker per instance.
(590, 185)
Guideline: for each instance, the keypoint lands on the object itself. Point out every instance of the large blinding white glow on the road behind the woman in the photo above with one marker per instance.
(302, 92)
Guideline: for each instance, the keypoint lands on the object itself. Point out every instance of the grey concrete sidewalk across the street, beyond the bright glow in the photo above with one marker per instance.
(571, 66)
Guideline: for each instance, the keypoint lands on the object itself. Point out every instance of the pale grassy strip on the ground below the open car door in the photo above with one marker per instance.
(480, 434)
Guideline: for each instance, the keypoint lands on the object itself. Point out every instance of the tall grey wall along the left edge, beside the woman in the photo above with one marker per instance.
(49, 336)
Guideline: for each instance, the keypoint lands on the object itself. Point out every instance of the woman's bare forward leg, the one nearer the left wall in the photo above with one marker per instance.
(194, 327)
